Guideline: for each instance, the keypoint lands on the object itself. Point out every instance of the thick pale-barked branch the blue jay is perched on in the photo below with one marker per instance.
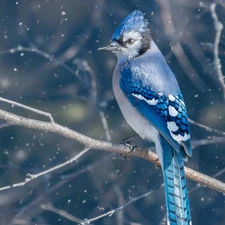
(91, 143)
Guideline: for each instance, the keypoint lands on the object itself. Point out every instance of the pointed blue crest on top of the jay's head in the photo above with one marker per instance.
(133, 22)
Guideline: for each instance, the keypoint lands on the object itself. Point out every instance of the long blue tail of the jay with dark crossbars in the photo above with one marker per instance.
(177, 202)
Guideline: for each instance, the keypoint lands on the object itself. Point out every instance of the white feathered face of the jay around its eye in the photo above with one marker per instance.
(131, 45)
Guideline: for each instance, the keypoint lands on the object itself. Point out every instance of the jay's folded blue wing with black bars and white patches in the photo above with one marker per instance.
(167, 113)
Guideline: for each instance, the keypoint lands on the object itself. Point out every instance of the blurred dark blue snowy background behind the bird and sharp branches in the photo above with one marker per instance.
(49, 61)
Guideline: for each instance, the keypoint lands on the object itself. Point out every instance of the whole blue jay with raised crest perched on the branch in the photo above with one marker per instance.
(151, 102)
